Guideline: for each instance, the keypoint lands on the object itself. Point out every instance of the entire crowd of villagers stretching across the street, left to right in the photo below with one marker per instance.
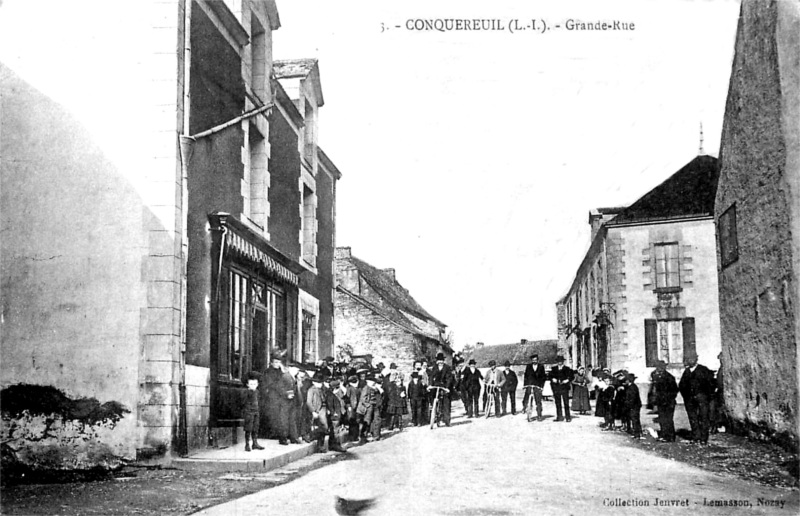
(358, 402)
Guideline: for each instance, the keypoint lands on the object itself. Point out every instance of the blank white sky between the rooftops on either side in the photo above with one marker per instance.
(471, 159)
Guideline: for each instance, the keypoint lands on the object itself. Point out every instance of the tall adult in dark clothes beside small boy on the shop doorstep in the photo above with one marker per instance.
(280, 390)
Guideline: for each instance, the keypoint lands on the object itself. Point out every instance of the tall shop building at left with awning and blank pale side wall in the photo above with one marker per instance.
(164, 225)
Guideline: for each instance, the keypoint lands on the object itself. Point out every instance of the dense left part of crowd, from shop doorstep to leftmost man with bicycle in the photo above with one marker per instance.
(339, 401)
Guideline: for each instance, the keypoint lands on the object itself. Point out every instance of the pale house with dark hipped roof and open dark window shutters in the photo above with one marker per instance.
(646, 289)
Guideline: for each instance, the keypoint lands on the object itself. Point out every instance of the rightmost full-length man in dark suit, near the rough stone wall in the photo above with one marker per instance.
(697, 386)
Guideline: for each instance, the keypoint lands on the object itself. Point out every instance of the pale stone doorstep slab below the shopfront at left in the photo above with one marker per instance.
(234, 458)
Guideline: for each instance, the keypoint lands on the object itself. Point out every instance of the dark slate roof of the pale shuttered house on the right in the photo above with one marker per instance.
(688, 192)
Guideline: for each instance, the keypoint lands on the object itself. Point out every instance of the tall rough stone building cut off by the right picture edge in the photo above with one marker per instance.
(758, 215)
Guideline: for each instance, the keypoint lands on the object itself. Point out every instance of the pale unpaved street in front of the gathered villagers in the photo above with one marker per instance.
(509, 466)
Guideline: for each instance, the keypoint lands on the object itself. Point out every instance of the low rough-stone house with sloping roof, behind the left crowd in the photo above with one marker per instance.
(376, 315)
